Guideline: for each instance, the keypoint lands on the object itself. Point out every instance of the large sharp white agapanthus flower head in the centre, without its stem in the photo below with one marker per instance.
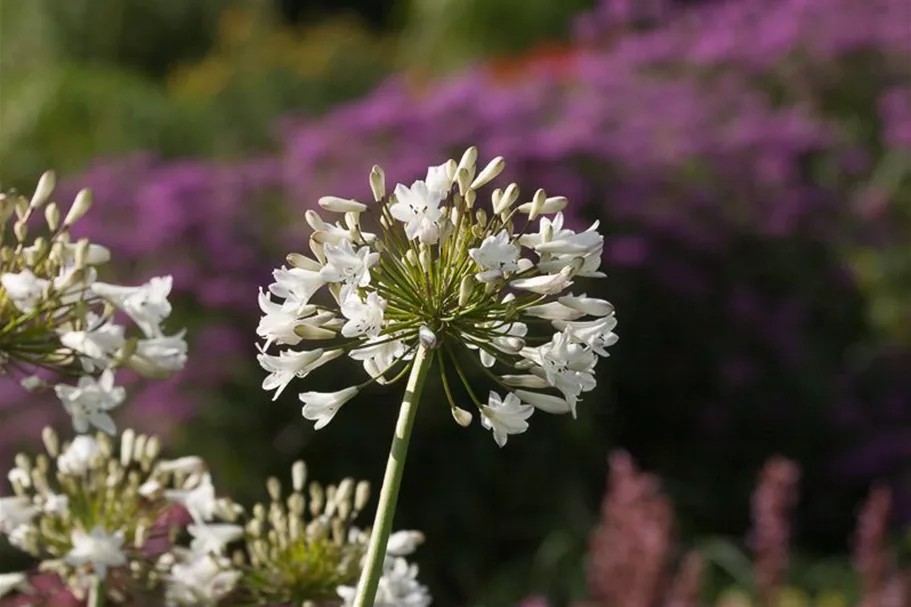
(428, 268)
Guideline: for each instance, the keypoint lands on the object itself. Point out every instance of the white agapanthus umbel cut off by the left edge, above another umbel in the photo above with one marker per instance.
(57, 319)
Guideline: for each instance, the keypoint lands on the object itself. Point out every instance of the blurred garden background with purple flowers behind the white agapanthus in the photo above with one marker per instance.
(749, 162)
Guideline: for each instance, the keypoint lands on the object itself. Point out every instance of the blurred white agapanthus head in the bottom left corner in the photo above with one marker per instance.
(97, 509)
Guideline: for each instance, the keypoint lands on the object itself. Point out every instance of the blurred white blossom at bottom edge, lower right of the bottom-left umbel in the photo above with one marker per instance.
(200, 581)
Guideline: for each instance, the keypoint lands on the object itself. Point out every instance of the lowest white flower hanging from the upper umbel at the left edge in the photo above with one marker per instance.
(89, 400)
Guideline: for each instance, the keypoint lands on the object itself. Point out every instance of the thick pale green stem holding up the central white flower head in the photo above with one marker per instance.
(389, 494)
